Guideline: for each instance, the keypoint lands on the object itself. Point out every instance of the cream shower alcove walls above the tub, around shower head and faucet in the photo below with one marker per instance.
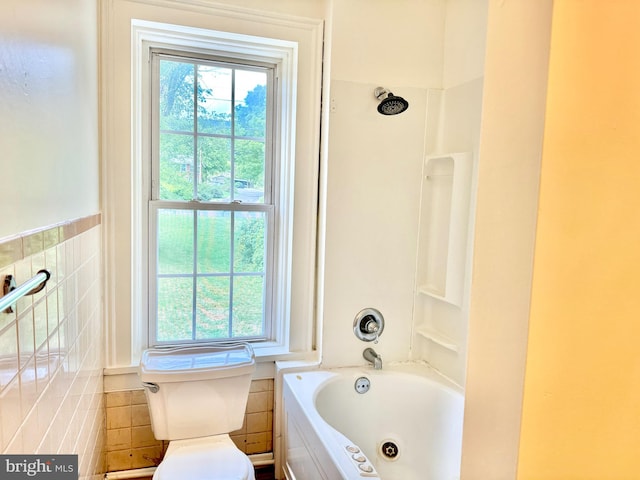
(375, 167)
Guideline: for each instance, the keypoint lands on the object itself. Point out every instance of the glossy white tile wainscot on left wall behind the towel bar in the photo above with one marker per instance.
(51, 356)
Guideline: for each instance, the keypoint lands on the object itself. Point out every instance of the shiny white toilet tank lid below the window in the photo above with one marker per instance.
(202, 362)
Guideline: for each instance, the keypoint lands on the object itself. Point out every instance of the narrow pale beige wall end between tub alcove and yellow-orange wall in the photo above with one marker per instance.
(510, 154)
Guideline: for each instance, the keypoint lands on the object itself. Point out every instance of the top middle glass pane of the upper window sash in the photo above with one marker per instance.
(214, 99)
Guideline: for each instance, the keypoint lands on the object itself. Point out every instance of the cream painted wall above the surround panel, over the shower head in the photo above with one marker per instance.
(394, 44)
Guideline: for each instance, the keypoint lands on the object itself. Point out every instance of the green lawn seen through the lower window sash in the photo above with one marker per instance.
(212, 279)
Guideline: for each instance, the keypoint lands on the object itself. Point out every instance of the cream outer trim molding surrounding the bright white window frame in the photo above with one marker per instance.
(301, 23)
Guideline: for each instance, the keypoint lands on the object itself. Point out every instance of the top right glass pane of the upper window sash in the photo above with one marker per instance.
(251, 104)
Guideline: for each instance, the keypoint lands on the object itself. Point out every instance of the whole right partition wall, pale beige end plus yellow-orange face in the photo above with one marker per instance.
(568, 312)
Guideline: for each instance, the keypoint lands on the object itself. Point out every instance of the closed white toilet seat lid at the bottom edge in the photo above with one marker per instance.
(207, 458)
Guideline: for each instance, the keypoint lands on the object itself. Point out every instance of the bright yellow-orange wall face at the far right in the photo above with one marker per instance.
(582, 388)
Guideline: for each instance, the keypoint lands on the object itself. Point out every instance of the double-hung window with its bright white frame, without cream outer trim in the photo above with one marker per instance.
(217, 130)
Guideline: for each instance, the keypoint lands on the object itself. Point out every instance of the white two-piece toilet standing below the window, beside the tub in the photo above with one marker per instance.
(196, 396)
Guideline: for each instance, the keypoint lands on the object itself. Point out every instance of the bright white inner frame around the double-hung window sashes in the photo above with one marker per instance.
(281, 53)
